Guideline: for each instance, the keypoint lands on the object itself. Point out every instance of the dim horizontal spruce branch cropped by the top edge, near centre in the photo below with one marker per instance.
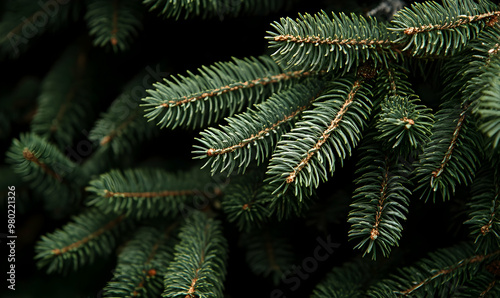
(211, 8)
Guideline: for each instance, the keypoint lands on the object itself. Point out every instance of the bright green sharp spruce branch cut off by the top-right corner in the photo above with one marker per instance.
(429, 28)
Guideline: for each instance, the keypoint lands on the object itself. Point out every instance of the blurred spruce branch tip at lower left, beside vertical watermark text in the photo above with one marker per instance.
(91, 234)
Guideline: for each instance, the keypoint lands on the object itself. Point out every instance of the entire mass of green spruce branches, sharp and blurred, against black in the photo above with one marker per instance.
(334, 81)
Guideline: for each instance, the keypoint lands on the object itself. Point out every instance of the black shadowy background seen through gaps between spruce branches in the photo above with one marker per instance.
(186, 45)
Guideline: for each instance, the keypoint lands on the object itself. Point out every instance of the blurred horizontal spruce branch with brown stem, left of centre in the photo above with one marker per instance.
(143, 193)
